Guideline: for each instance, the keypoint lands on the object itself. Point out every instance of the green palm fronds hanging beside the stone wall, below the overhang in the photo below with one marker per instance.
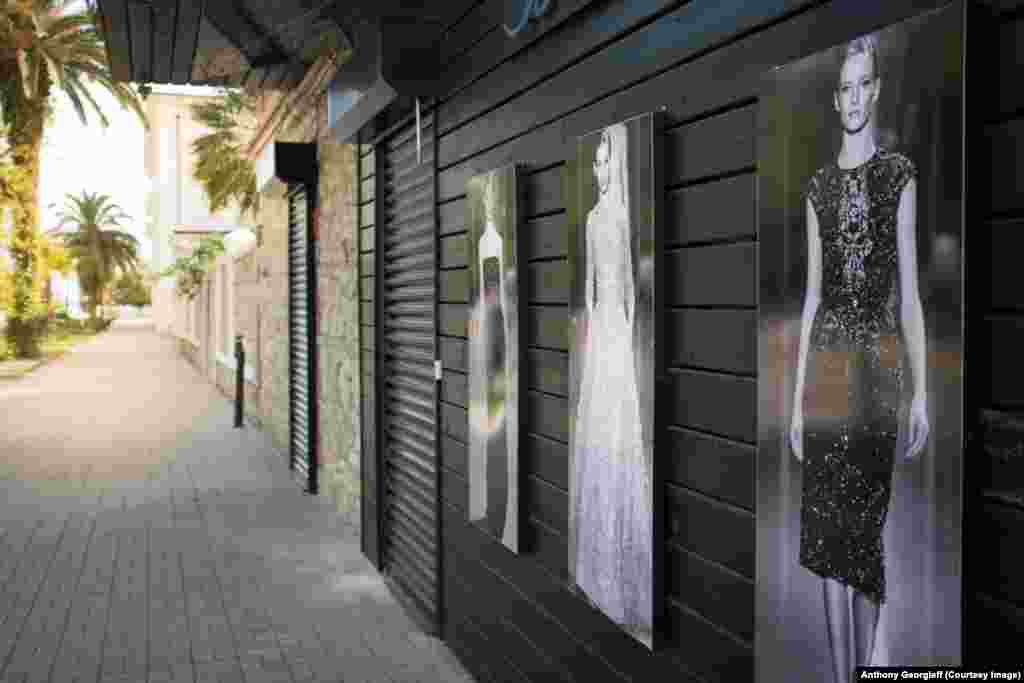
(222, 167)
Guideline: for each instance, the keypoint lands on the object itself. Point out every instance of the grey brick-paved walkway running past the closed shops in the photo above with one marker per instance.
(145, 540)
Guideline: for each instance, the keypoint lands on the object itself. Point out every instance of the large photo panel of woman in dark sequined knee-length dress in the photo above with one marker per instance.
(861, 164)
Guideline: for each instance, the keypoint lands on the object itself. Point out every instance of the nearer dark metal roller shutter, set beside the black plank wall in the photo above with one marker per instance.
(407, 329)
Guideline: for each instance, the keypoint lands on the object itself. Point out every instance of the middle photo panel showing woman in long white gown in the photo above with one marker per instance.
(614, 184)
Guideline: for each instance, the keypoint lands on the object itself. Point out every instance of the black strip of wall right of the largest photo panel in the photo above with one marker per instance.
(995, 524)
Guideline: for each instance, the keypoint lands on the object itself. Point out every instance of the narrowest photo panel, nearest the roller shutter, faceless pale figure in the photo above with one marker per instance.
(493, 218)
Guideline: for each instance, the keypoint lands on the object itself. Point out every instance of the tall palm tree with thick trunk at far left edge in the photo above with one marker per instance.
(44, 48)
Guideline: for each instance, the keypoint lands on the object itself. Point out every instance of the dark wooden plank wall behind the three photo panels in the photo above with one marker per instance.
(526, 101)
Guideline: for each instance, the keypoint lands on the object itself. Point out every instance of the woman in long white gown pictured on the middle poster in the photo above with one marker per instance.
(613, 497)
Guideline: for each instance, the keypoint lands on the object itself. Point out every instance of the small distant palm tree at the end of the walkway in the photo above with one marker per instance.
(99, 248)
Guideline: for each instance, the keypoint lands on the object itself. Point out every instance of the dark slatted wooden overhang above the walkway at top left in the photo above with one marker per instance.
(258, 45)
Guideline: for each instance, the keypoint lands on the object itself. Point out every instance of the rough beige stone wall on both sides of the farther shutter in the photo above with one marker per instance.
(262, 315)
